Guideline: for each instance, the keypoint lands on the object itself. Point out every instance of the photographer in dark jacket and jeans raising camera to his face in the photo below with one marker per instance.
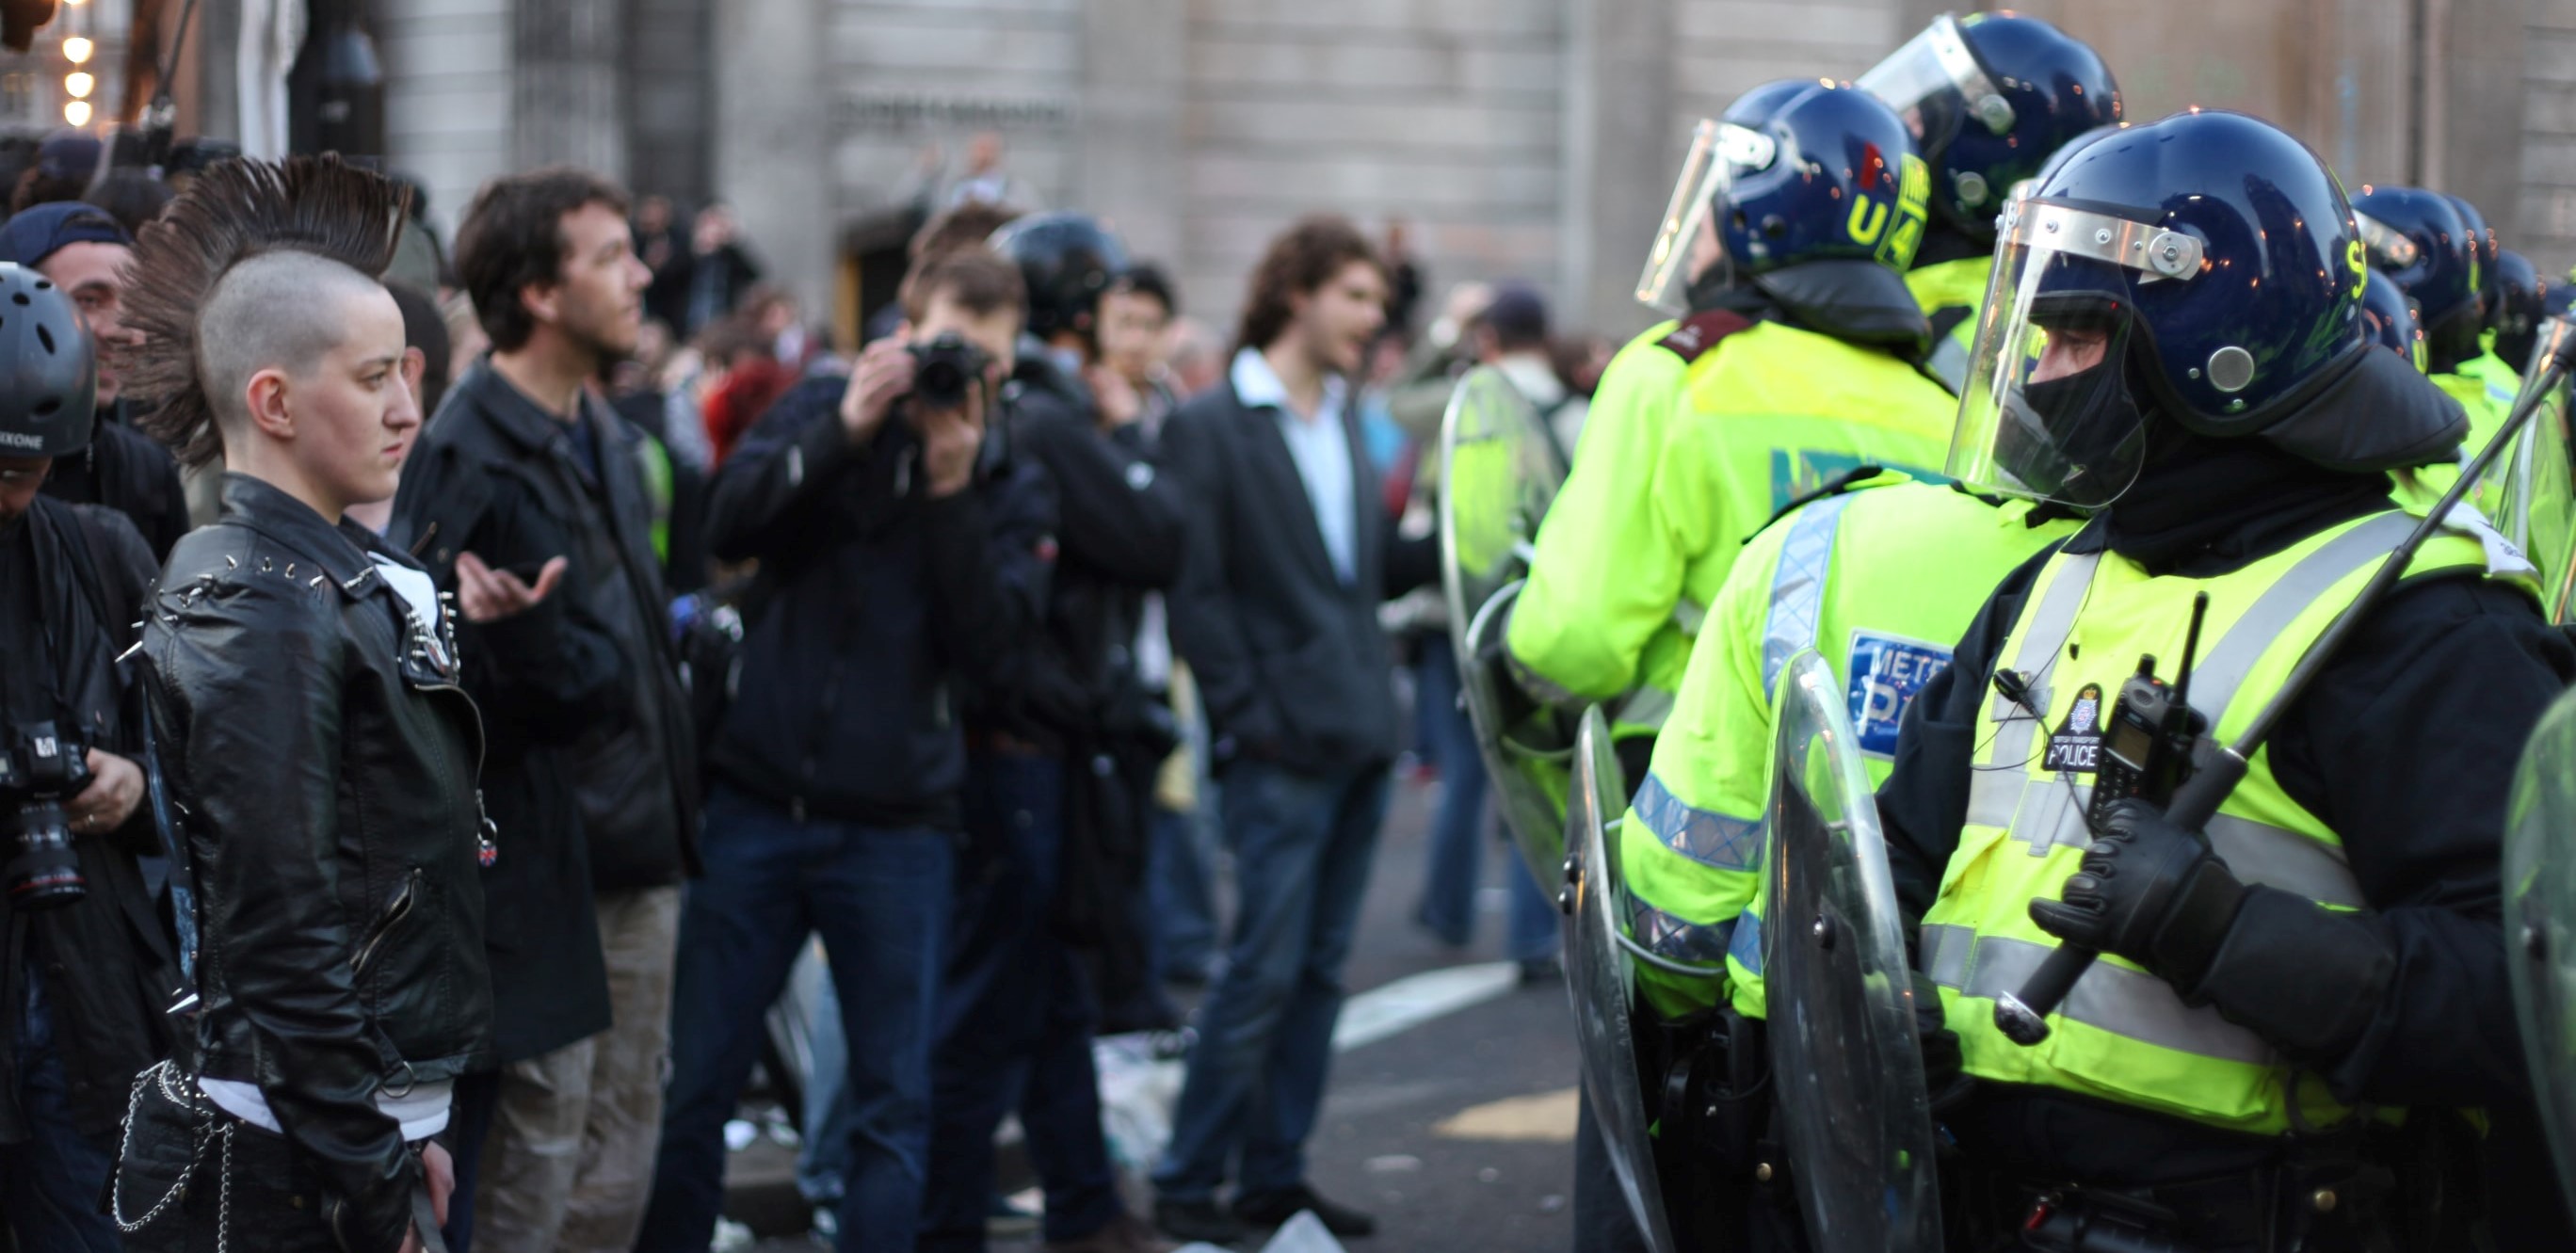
(838, 770)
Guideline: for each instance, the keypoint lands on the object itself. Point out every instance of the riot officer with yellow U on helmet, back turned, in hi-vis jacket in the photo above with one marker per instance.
(1799, 360)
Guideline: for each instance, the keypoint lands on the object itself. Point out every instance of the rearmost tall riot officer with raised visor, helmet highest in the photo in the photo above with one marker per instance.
(1990, 99)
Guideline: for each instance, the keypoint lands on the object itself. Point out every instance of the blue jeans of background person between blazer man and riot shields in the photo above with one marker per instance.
(1449, 888)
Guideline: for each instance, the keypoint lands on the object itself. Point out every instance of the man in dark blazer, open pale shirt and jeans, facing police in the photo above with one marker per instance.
(1276, 612)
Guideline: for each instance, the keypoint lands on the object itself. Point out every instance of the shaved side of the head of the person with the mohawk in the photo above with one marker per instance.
(277, 311)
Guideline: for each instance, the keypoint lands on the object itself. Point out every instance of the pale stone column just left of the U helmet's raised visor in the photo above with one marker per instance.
(1616, 156)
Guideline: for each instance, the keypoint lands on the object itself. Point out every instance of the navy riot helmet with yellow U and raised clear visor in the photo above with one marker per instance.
(1794, 174)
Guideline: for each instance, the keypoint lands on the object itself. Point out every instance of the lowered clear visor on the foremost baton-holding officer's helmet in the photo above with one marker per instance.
(2049, 411)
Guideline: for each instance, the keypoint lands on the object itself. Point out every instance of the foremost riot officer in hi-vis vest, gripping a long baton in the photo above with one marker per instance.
(2181, 349)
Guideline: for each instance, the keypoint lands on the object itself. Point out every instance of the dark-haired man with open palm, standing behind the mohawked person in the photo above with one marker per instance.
(529, 483)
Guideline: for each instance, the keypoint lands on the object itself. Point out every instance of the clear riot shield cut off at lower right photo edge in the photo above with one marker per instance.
(2541, 924)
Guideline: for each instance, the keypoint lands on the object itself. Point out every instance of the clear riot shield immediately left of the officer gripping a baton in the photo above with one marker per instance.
(1838, 989)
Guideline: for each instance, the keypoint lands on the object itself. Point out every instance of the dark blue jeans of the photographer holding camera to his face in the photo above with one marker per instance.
(880, 898)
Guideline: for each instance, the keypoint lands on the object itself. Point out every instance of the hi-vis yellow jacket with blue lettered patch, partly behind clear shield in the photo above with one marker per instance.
(1879, 581)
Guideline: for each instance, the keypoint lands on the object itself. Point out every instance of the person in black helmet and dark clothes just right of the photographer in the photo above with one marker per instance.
(1060, 777)
